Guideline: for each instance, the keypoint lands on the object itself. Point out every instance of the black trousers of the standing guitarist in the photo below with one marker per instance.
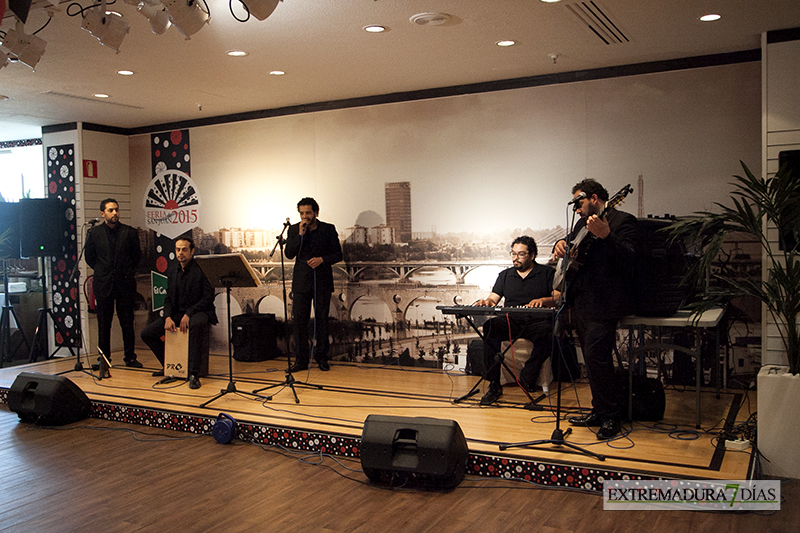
(597, 338)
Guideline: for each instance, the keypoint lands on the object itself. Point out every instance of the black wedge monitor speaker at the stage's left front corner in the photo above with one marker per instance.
(47, 400)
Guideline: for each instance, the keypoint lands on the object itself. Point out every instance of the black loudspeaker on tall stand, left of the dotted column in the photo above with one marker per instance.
(42, 225)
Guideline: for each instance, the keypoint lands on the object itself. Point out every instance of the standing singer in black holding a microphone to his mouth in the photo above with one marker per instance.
(315, 245)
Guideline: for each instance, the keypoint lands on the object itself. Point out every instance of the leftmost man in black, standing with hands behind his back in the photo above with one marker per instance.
(113, 252)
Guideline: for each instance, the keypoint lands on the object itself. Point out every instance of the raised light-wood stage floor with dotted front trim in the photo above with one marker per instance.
(672, 448)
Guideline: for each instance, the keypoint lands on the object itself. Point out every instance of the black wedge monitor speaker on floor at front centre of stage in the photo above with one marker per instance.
(421, 451)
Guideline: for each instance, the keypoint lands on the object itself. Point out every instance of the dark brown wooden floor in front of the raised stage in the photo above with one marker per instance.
(99, 475)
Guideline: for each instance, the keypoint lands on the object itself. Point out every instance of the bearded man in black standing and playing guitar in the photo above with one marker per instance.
(599, 294)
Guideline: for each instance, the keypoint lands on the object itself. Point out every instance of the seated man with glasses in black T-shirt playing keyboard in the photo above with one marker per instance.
(526, 284)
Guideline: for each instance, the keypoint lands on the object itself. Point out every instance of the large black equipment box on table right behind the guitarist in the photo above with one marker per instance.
(660, 268)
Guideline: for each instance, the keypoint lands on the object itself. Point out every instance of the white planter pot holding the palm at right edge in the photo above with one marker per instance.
(779, 421)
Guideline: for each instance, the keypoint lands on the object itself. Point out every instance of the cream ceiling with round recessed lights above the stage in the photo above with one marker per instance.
(326, 54)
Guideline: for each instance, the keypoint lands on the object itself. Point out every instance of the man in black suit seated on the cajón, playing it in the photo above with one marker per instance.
(188, 306)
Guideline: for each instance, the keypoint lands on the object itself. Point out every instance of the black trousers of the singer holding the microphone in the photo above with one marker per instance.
(301, 313)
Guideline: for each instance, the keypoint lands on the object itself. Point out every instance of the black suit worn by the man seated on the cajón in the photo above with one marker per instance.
(188, 293)
